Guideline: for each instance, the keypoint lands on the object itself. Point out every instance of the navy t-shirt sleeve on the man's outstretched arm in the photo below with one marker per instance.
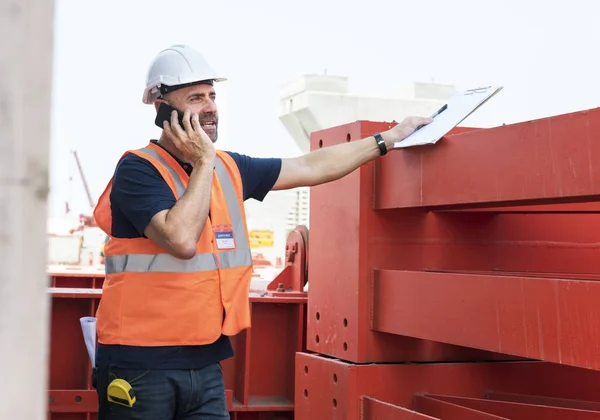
(259, 175)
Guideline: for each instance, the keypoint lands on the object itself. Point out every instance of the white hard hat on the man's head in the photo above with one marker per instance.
(177, 65)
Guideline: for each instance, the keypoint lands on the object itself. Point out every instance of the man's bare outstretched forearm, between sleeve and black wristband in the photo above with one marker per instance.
(331, 163)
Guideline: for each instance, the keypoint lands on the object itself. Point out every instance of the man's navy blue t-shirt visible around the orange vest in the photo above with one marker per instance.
(138, 193)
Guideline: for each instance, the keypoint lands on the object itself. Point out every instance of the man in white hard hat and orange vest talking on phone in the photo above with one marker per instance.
(178, 263)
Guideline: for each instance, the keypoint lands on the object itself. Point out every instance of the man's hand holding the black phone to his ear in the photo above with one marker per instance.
(191, 140)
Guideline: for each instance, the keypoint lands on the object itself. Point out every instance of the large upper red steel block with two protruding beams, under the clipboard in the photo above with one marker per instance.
(376, 242)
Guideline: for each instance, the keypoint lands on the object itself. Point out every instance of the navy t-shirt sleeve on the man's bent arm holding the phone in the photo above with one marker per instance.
(140, 192)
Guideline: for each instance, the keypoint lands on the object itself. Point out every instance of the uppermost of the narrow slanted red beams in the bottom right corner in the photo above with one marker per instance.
(519, 411)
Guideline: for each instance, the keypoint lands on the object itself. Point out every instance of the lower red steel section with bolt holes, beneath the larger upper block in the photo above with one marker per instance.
(332, 389)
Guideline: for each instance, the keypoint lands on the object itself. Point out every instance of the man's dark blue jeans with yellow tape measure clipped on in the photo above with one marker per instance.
(165, 394)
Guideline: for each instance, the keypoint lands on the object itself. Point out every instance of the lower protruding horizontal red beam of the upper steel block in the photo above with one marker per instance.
(528, 317)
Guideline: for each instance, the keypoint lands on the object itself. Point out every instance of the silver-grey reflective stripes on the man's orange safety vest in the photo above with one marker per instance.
(239, 257)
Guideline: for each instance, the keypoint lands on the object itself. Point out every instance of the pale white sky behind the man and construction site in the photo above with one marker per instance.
(546, 57)
